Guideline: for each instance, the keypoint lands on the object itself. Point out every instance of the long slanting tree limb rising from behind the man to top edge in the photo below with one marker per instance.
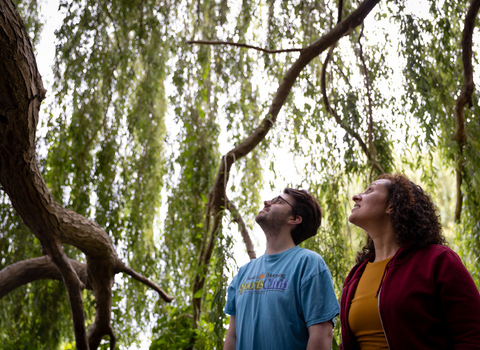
(217, 195)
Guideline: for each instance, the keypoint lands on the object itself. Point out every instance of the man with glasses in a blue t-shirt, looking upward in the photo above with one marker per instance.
(285, 298)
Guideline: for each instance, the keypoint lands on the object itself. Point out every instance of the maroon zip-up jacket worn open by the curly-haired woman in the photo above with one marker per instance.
(427, 300)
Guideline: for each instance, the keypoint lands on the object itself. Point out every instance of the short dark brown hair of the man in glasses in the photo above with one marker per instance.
(308, 208)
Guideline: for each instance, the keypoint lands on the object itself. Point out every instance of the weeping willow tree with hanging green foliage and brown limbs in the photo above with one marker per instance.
(168, 120)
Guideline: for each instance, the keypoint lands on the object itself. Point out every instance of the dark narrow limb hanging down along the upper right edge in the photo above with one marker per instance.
(463, 99)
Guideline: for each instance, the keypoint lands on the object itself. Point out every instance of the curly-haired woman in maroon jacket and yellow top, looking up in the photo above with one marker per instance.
(407, 290)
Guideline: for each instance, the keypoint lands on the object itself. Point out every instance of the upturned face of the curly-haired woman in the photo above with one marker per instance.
(371, 206)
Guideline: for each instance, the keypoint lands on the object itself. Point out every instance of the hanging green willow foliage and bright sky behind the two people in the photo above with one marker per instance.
(139, 120)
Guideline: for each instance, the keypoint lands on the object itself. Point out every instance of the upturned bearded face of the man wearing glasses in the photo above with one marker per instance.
(276, 212)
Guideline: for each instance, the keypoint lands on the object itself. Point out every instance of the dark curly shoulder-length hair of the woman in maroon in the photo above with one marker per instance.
(414, 216)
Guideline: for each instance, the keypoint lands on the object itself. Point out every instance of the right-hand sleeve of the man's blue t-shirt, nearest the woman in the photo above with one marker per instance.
(318, 299)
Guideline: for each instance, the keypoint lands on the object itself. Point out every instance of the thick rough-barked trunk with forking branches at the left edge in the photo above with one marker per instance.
(21, 93)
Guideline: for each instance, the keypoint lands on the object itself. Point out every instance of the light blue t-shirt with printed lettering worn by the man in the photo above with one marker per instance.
(275, 298)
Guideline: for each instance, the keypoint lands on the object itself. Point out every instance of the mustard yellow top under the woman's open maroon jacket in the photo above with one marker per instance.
(363, 317)
